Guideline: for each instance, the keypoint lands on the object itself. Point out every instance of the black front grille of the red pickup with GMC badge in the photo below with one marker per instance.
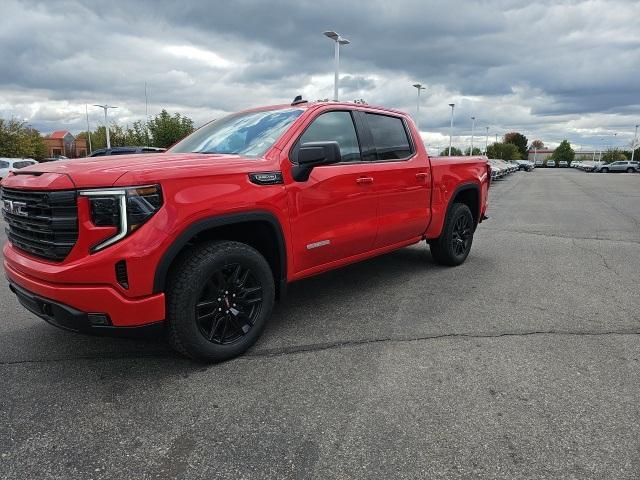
(42, 223)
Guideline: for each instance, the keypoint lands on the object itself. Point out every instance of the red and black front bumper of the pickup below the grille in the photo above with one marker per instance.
(70, 306)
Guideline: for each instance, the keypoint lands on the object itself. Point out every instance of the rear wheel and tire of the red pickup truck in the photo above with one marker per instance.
(447, 249)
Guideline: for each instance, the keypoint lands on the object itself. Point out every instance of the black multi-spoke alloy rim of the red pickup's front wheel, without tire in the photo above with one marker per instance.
(229, 304)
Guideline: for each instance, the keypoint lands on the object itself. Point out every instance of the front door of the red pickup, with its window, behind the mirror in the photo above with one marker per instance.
(333, 214)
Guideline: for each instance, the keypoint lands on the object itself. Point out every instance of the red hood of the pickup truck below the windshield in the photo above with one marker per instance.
(131, 169)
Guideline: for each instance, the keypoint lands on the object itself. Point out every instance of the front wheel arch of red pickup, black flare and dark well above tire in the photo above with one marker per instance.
(231, 227)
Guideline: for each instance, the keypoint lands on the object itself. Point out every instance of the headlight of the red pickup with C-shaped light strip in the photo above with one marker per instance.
(124, 208)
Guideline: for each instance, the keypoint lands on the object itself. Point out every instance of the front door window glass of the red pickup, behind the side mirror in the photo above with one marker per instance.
(335, 127)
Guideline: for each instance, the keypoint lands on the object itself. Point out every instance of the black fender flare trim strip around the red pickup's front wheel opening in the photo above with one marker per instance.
(162, 269)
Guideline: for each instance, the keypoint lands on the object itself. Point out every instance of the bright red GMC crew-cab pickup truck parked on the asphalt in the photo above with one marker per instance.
(205, 237)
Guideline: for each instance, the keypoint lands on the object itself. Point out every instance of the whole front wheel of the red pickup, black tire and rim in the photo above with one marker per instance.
(207, 324)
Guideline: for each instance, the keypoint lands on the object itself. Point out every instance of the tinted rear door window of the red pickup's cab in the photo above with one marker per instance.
(389, 137)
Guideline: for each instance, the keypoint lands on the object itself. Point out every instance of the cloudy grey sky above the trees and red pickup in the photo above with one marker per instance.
(550, 69)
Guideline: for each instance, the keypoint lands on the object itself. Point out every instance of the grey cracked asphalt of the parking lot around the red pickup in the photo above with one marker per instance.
(522, 363)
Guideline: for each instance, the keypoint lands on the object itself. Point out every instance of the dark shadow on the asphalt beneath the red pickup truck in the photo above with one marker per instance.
(318, 299)
